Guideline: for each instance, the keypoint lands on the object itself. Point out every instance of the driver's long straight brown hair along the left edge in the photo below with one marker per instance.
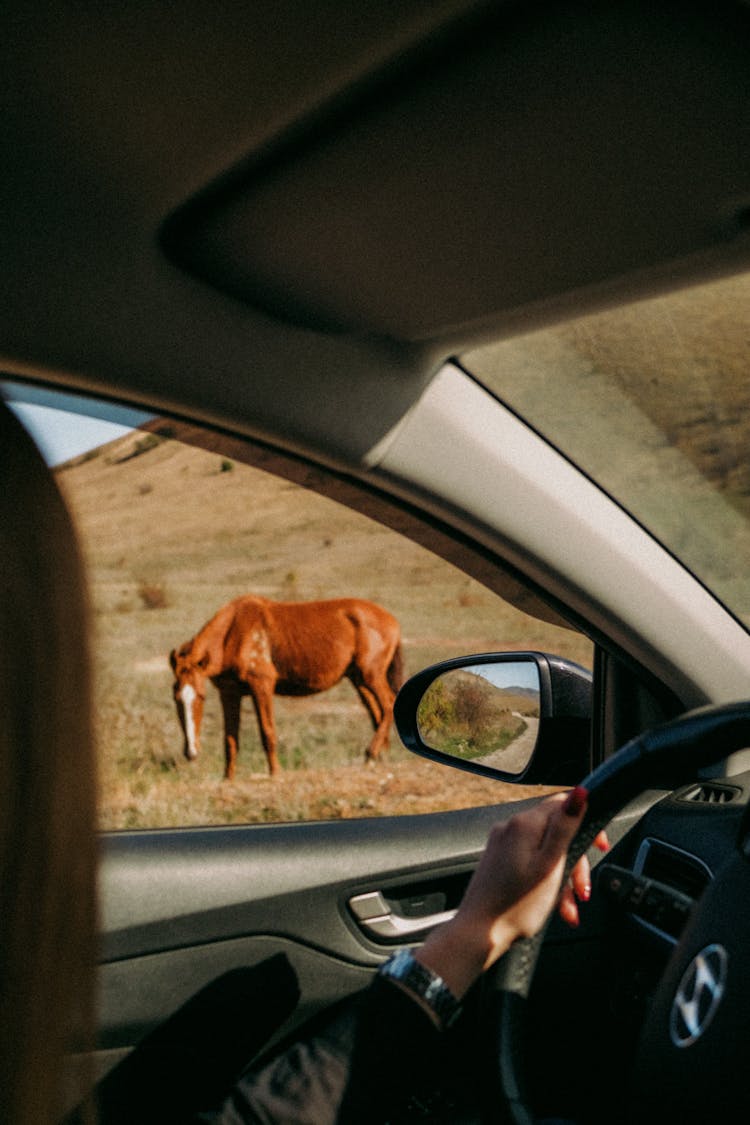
(48, 790)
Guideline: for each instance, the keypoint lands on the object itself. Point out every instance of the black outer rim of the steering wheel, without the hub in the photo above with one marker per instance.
(663, 758)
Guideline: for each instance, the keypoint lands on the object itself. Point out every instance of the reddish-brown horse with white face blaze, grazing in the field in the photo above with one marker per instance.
(260, 649)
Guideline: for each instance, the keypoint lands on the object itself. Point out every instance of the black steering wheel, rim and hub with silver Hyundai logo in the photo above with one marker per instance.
(686, 1065)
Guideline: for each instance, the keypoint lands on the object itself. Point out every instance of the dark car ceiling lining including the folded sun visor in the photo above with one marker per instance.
(122, 122)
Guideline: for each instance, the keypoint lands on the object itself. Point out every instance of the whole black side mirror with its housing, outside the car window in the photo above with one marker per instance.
(519, 717)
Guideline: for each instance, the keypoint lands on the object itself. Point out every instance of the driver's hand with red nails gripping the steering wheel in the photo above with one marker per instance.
(513, 890)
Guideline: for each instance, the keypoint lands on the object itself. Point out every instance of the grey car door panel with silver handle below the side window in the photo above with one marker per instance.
(183, 907)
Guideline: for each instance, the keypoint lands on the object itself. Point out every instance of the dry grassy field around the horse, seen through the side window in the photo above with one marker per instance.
(173, 533)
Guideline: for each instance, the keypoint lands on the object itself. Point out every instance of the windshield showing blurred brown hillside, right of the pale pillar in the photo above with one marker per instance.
(653, 401)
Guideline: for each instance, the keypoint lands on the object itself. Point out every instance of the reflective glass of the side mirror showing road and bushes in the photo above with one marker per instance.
(486, 714)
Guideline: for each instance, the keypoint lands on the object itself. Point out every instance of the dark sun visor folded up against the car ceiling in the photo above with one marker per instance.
(415, 184)
